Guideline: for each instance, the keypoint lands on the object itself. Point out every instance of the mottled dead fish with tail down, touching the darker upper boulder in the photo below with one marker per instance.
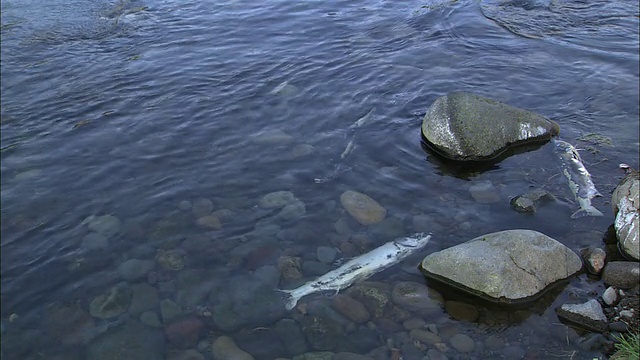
(579, 179)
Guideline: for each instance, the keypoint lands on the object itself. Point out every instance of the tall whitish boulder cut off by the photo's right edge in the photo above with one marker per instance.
(626, 205)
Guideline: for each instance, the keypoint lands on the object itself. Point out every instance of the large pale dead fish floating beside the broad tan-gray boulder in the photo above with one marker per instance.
(359, 268)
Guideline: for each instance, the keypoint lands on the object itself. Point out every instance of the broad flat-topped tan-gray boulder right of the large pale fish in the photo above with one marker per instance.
(511, 266)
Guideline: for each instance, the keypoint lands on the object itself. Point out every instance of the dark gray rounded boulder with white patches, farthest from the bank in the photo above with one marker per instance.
(463, 126)
